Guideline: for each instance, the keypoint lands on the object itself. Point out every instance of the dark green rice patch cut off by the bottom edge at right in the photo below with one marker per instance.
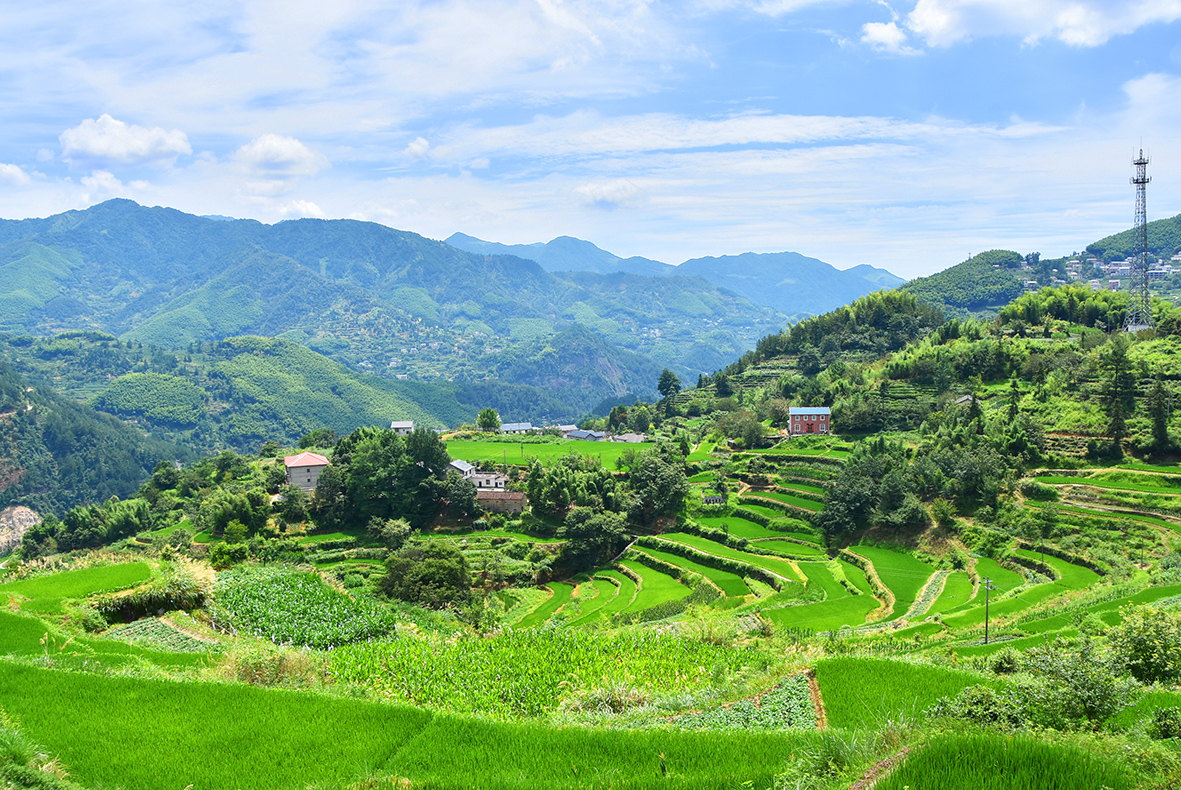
(993, 762)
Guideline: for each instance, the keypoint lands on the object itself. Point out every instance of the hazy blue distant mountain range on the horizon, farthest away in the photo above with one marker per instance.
(791, 283)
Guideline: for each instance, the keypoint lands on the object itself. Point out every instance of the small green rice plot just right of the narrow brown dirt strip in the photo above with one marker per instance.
(865, 694)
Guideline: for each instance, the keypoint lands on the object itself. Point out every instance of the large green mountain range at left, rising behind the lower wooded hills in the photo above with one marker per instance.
(379, 301)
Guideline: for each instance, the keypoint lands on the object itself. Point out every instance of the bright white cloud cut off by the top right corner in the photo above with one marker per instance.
(1078, 23)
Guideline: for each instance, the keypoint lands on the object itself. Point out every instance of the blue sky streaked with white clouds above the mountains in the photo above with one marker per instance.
(904, 135)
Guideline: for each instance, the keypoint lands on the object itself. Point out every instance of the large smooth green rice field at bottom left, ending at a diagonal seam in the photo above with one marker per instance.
(143, 735)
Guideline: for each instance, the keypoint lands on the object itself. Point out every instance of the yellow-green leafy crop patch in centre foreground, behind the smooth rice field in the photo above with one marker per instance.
(530, 671)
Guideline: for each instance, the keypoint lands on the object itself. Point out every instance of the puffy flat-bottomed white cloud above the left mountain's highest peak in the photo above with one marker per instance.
(108, 140)
